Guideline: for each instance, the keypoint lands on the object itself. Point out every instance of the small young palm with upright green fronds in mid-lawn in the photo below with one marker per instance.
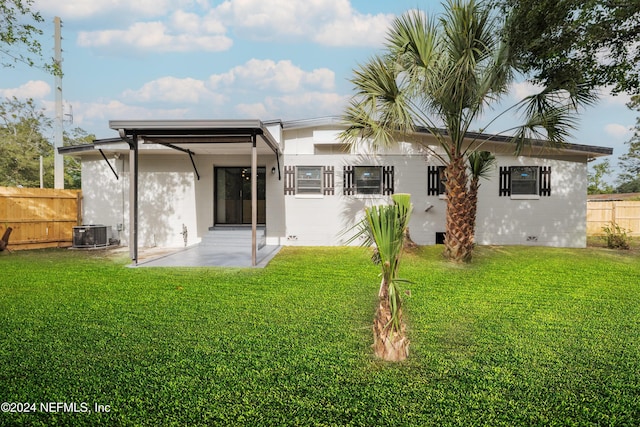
(385, 226)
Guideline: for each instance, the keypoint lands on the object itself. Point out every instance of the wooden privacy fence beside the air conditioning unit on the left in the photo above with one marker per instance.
(40, 218)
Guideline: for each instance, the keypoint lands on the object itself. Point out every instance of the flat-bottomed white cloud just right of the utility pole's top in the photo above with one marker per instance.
(183, 32)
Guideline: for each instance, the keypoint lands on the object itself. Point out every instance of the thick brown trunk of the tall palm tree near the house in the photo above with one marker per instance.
(459, 231)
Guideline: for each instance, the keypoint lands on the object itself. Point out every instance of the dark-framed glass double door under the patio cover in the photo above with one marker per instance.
(233, 195)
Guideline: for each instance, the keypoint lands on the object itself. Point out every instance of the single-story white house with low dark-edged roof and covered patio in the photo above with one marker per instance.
(298, 183)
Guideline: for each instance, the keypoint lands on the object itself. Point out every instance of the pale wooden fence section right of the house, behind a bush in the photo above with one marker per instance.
(624, 213)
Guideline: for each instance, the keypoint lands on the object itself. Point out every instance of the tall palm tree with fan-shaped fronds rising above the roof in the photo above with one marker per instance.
(441, 76)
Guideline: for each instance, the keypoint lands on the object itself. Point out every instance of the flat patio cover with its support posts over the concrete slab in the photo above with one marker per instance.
(193, 137)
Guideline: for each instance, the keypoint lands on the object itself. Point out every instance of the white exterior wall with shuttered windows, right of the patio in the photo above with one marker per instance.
(555, 220)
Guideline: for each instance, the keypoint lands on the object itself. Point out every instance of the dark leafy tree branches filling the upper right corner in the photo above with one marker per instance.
(565, 43)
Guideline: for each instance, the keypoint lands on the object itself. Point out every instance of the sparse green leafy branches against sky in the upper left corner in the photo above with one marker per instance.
(19, 34)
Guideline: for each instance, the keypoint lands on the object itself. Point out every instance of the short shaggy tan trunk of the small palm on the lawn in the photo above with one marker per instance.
(388, 344)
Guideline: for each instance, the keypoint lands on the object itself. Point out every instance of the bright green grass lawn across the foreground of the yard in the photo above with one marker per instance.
(523, 336)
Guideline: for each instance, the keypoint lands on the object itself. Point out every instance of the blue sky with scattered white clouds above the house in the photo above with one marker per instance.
(266, 59)
